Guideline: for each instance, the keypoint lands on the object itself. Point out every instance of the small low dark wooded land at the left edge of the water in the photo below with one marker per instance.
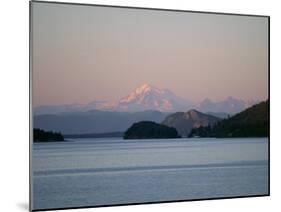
(46, 136)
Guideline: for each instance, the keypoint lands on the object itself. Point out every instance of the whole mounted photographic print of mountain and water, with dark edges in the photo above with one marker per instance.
(138, 105)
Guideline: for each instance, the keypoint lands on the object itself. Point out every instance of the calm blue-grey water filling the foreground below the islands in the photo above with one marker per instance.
(90, 172)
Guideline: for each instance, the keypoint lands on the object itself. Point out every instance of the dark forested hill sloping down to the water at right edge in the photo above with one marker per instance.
(252, 122)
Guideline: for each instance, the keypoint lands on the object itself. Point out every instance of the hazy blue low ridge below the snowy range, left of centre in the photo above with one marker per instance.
(94, 121)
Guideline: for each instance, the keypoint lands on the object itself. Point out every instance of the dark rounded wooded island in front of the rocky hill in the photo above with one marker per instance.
(150, 130)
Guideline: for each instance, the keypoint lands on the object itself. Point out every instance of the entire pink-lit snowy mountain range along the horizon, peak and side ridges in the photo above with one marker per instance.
(148, 97)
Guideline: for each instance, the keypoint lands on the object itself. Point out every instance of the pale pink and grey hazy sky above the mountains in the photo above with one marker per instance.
(85, 53)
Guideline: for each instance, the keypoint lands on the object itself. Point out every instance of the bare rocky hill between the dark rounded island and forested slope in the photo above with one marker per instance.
(184, 122)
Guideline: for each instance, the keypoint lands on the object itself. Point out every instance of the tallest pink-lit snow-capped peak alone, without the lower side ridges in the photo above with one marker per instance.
(147, 97)
